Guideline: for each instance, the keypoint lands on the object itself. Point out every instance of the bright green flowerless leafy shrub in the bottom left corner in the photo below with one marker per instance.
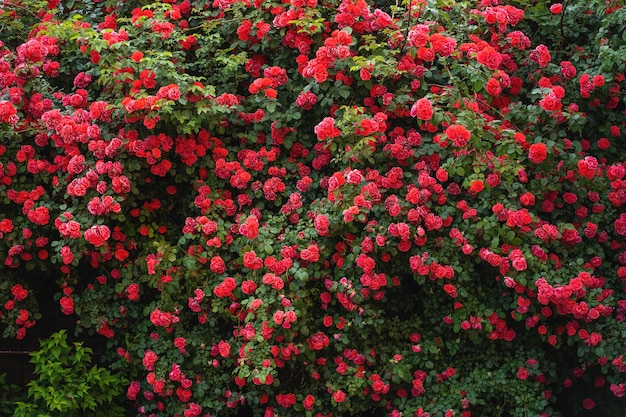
(67, 385)
